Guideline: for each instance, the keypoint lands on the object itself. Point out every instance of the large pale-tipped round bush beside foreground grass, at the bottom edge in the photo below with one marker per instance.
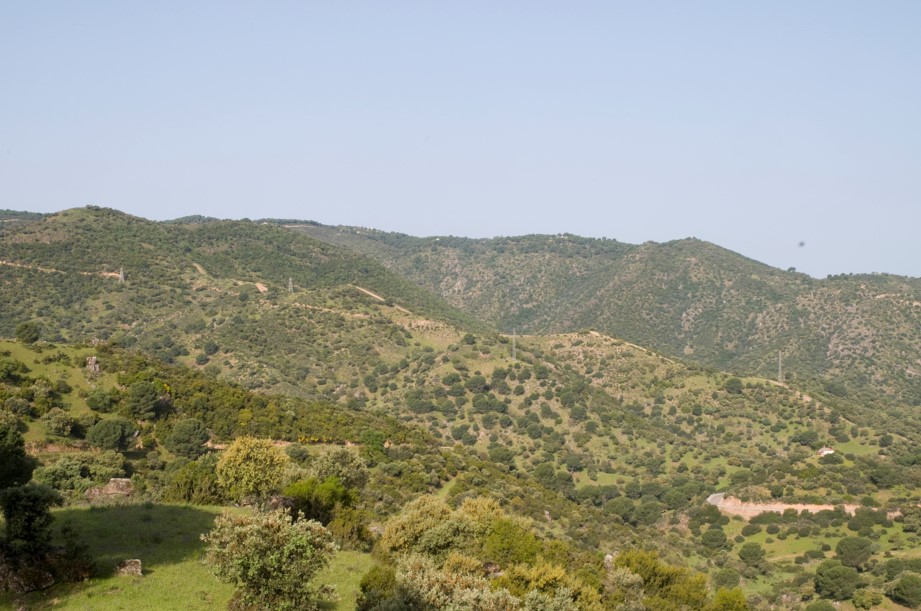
(271, 559)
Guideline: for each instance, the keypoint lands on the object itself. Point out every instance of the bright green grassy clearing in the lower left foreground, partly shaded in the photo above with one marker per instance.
(166, 540)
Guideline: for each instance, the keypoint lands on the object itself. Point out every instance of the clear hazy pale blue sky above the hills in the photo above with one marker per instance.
(752, 125)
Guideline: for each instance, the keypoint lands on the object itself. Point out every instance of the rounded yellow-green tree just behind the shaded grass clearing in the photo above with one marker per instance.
(251, 467)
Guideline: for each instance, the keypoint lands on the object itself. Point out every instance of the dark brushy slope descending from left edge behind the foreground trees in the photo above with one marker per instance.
(43, 385)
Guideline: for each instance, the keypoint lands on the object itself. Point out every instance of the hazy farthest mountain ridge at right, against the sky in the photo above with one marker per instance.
(687, 298)
